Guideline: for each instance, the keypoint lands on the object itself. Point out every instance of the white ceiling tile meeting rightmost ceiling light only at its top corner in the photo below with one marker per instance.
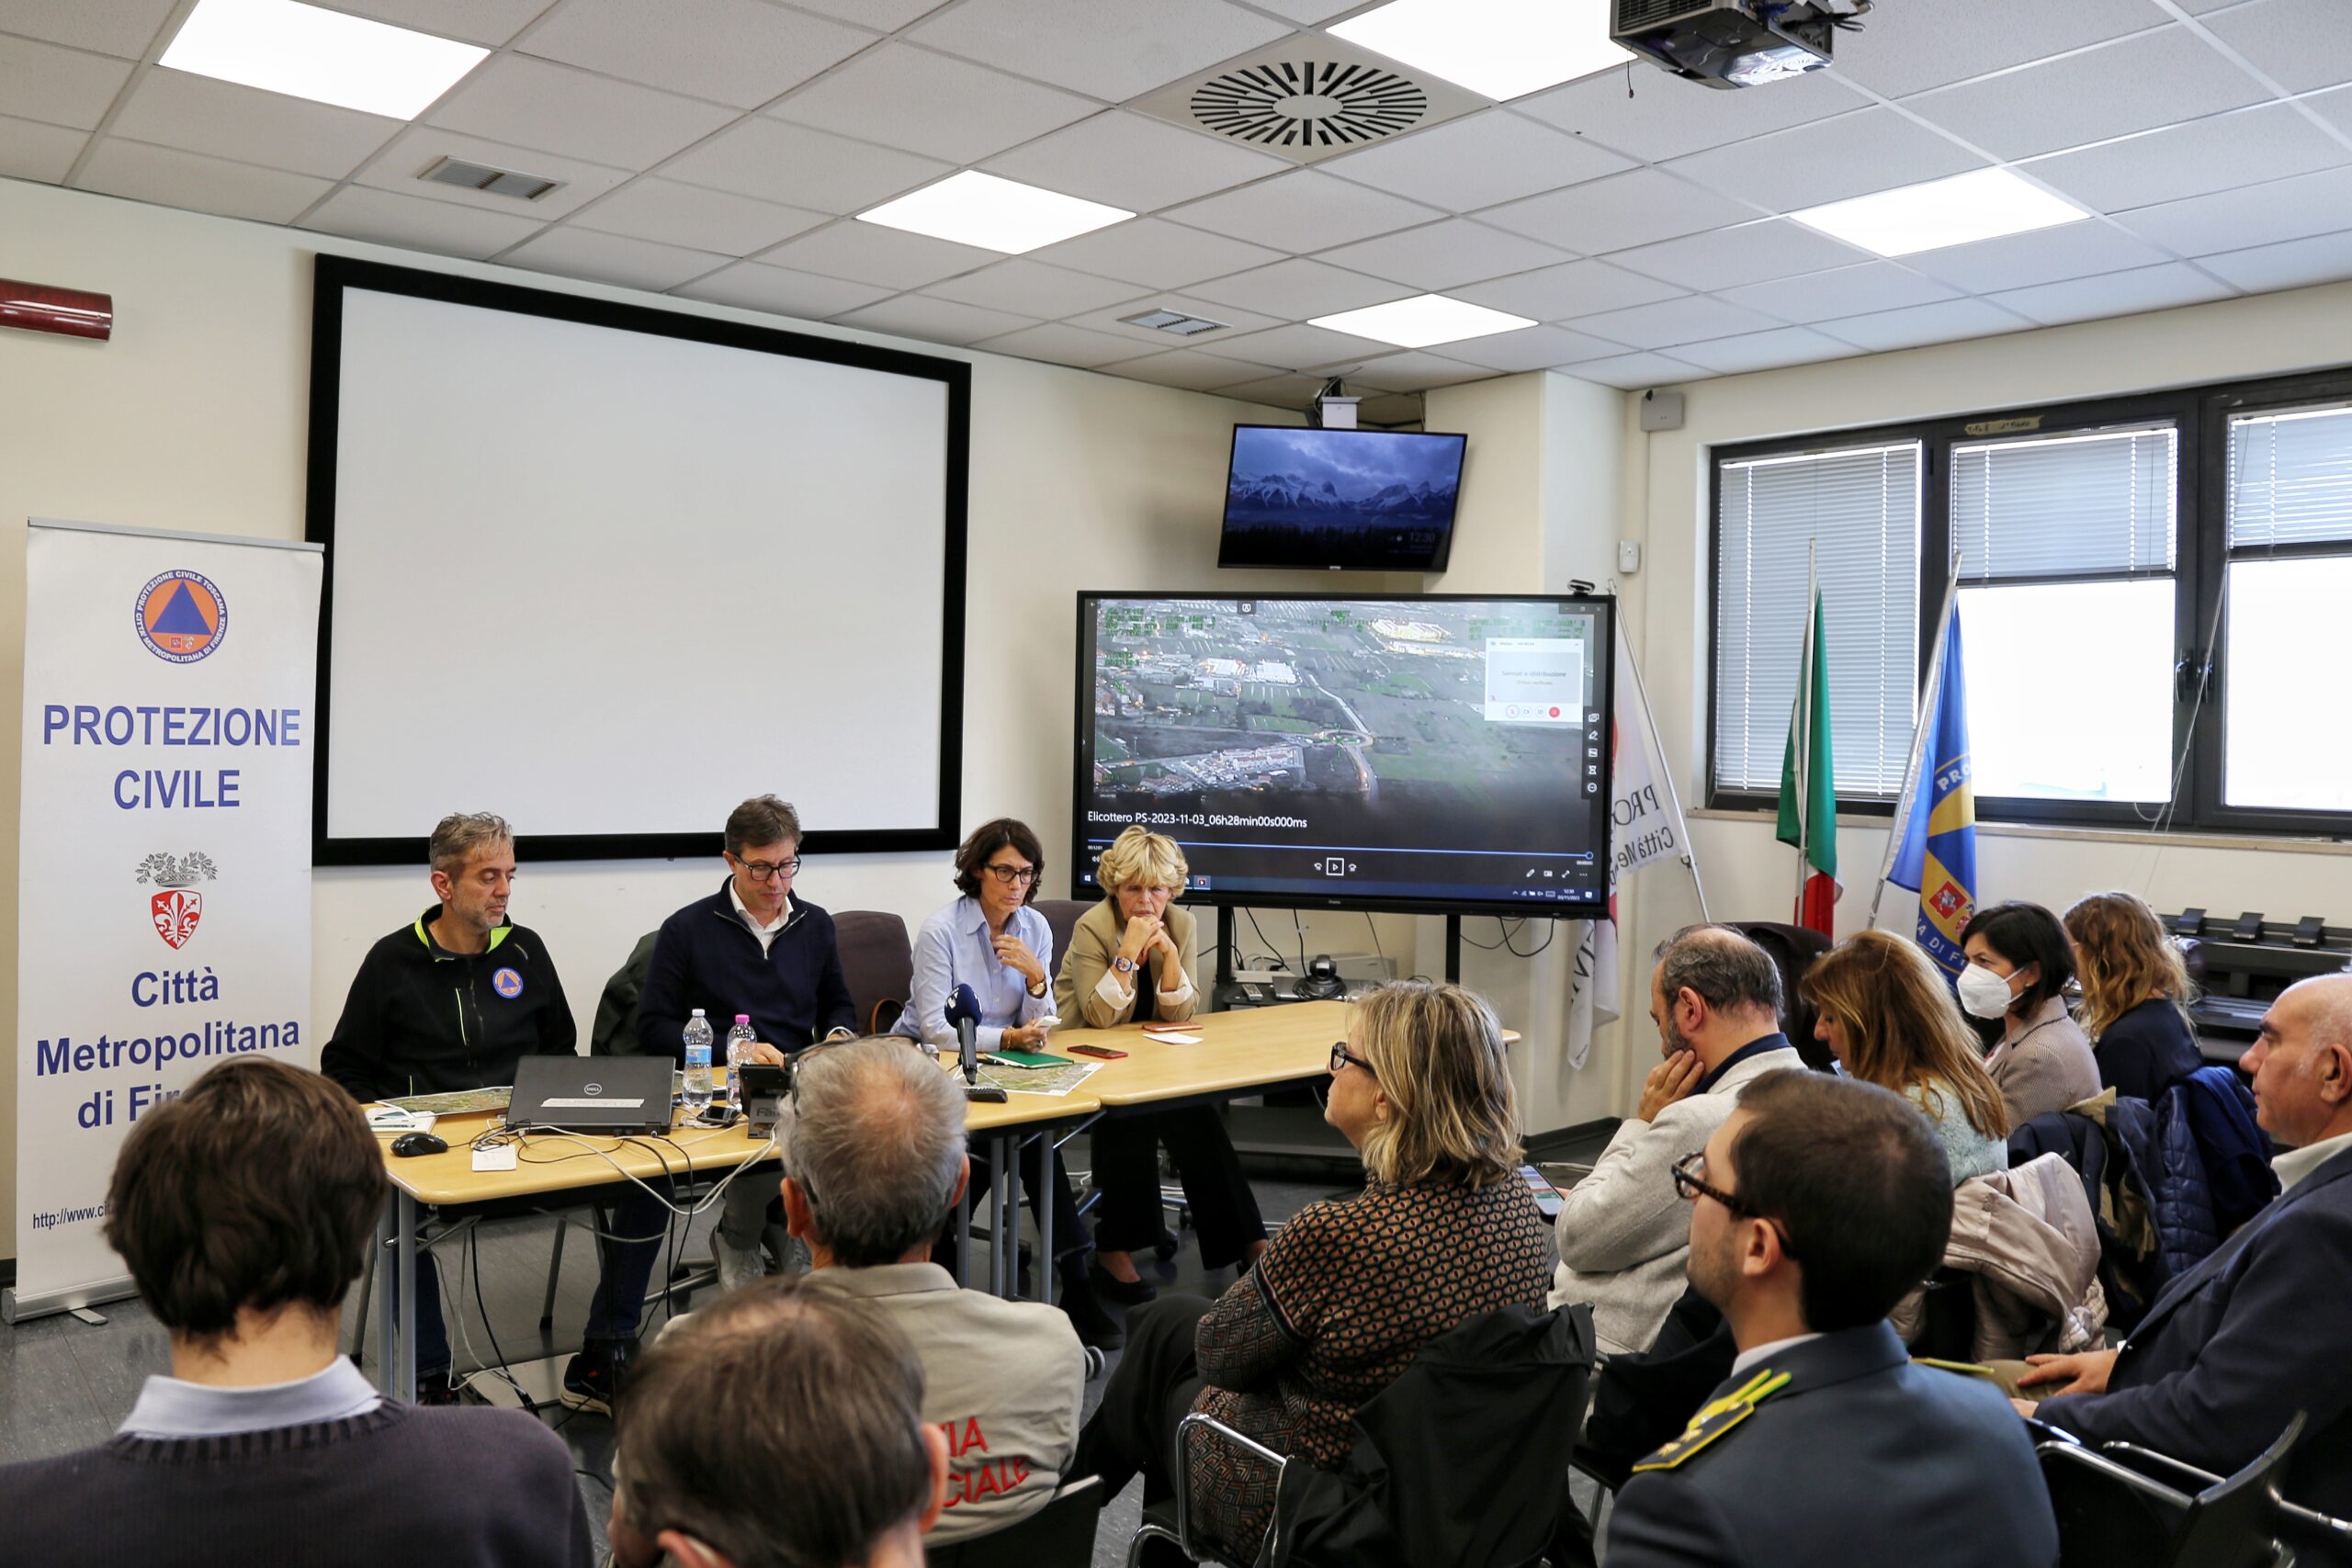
(2132, 86)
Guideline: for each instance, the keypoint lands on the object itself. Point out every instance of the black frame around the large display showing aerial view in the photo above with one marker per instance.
(1229, 899)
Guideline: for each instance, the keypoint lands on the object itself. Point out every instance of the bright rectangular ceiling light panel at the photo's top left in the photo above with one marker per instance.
(319, 55)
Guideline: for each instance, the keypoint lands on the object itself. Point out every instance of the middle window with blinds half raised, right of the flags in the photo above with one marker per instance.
(2066, 563)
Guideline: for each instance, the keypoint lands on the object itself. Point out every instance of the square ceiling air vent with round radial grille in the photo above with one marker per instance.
(1309, 98)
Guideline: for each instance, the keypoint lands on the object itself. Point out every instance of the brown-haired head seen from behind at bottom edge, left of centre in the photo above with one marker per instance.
(780, 1428)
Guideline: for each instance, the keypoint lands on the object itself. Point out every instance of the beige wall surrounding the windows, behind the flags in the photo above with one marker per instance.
(1753, 878)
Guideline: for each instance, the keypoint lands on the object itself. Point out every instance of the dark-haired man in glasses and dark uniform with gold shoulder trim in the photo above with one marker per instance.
(1815, 1209)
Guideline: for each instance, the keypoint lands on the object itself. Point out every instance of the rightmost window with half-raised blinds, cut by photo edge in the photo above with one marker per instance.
(2290, 579)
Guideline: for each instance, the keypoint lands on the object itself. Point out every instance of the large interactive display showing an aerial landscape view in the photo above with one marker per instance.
(1436, 753)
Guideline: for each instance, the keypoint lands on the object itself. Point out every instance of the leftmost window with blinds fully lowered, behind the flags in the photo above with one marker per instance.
(1859, 511)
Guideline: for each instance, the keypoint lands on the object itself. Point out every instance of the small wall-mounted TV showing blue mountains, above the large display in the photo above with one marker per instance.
(1342, 500)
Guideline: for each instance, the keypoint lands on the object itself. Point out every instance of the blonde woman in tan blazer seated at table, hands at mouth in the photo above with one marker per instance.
(1125, 965)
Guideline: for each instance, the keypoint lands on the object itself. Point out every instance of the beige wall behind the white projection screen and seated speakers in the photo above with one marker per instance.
(194, 417)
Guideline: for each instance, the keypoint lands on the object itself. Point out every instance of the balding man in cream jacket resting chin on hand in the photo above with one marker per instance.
(1624, 1233)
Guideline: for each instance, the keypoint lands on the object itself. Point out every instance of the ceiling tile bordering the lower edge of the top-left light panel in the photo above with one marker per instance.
(248, 126)
